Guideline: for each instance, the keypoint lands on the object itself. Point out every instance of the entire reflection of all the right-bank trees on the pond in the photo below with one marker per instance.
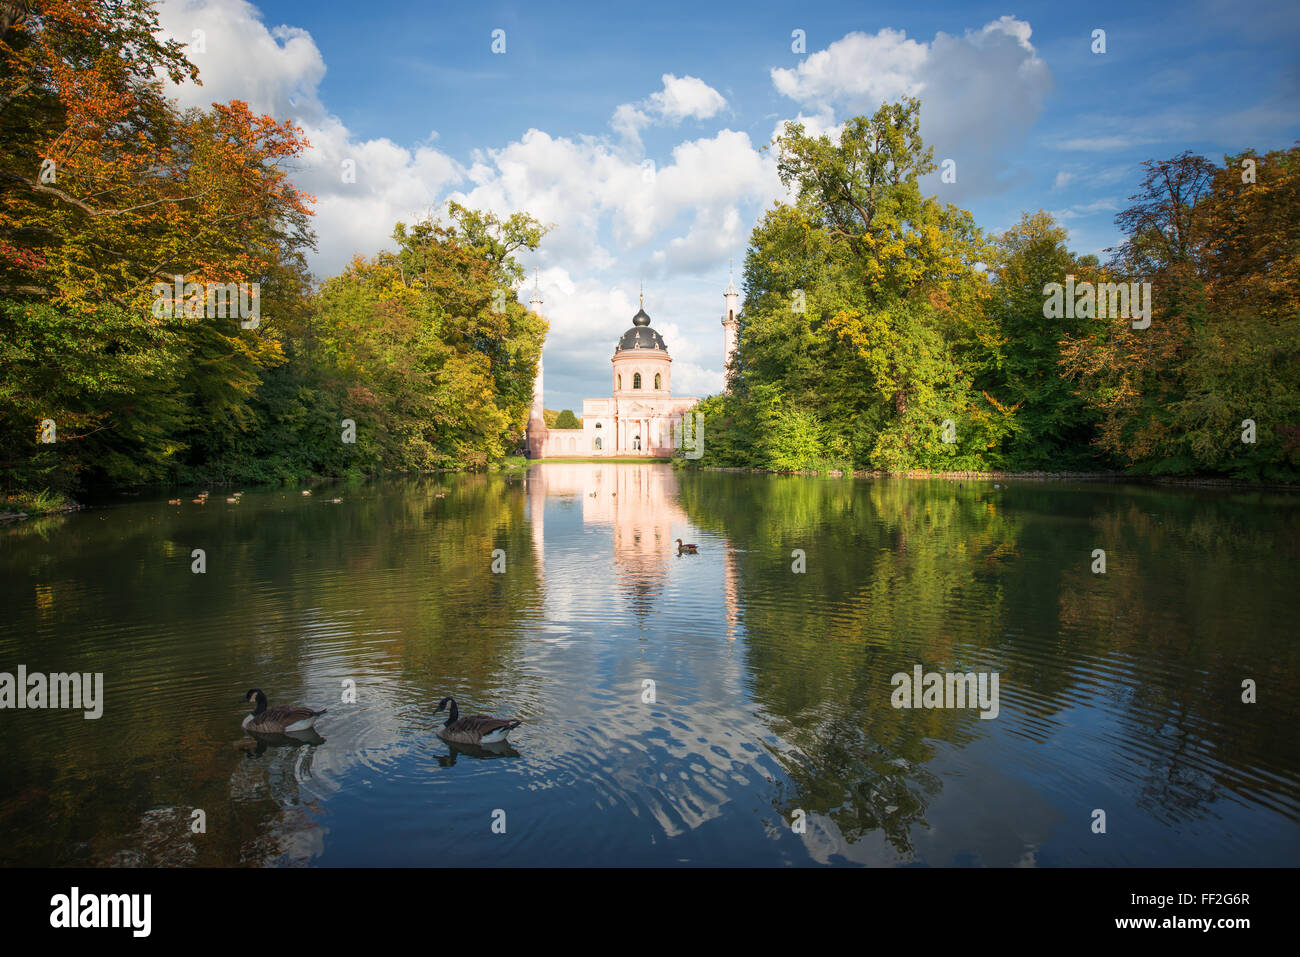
(972, 579)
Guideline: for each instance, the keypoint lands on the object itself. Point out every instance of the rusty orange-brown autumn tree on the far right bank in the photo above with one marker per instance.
(1220, 363)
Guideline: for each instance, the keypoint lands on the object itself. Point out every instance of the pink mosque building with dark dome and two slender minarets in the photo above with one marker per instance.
(642, 417)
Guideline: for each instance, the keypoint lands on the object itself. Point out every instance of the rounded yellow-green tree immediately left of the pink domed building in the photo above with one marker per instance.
(436, 360)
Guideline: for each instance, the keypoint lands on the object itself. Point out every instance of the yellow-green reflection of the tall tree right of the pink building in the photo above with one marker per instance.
(883, 557)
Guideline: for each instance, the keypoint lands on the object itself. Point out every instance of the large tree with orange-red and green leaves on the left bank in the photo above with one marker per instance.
(110, 189)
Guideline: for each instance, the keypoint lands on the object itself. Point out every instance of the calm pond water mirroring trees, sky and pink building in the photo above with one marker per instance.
(1120, 692)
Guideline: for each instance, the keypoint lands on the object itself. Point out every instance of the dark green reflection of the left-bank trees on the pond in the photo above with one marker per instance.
(297, 588)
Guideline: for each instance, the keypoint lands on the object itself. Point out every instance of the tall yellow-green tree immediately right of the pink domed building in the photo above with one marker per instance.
(864, 302)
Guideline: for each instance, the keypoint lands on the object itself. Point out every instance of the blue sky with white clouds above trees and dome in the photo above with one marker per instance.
(567, 122)
